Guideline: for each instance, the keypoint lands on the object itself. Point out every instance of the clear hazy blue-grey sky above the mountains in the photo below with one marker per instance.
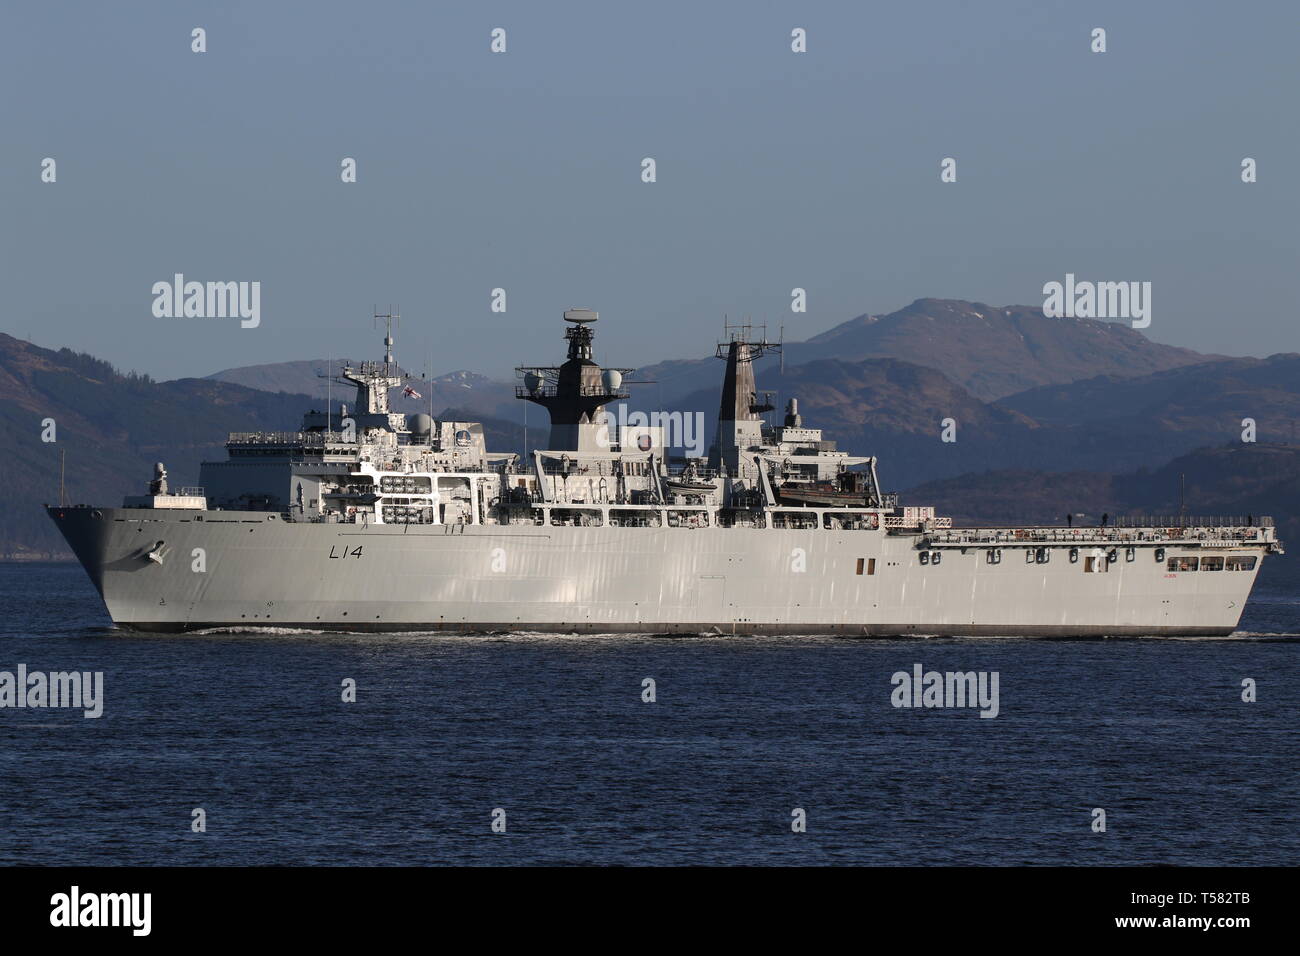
(523, 171)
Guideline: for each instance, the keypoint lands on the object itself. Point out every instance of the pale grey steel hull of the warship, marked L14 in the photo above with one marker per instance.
(224, 569)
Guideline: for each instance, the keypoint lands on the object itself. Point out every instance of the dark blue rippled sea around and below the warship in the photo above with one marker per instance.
(553, 730)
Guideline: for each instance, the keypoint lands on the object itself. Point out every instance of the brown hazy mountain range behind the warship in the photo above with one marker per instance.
(1046, 410)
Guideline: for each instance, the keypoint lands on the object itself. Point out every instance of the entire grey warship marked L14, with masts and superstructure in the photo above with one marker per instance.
(374, 521)
